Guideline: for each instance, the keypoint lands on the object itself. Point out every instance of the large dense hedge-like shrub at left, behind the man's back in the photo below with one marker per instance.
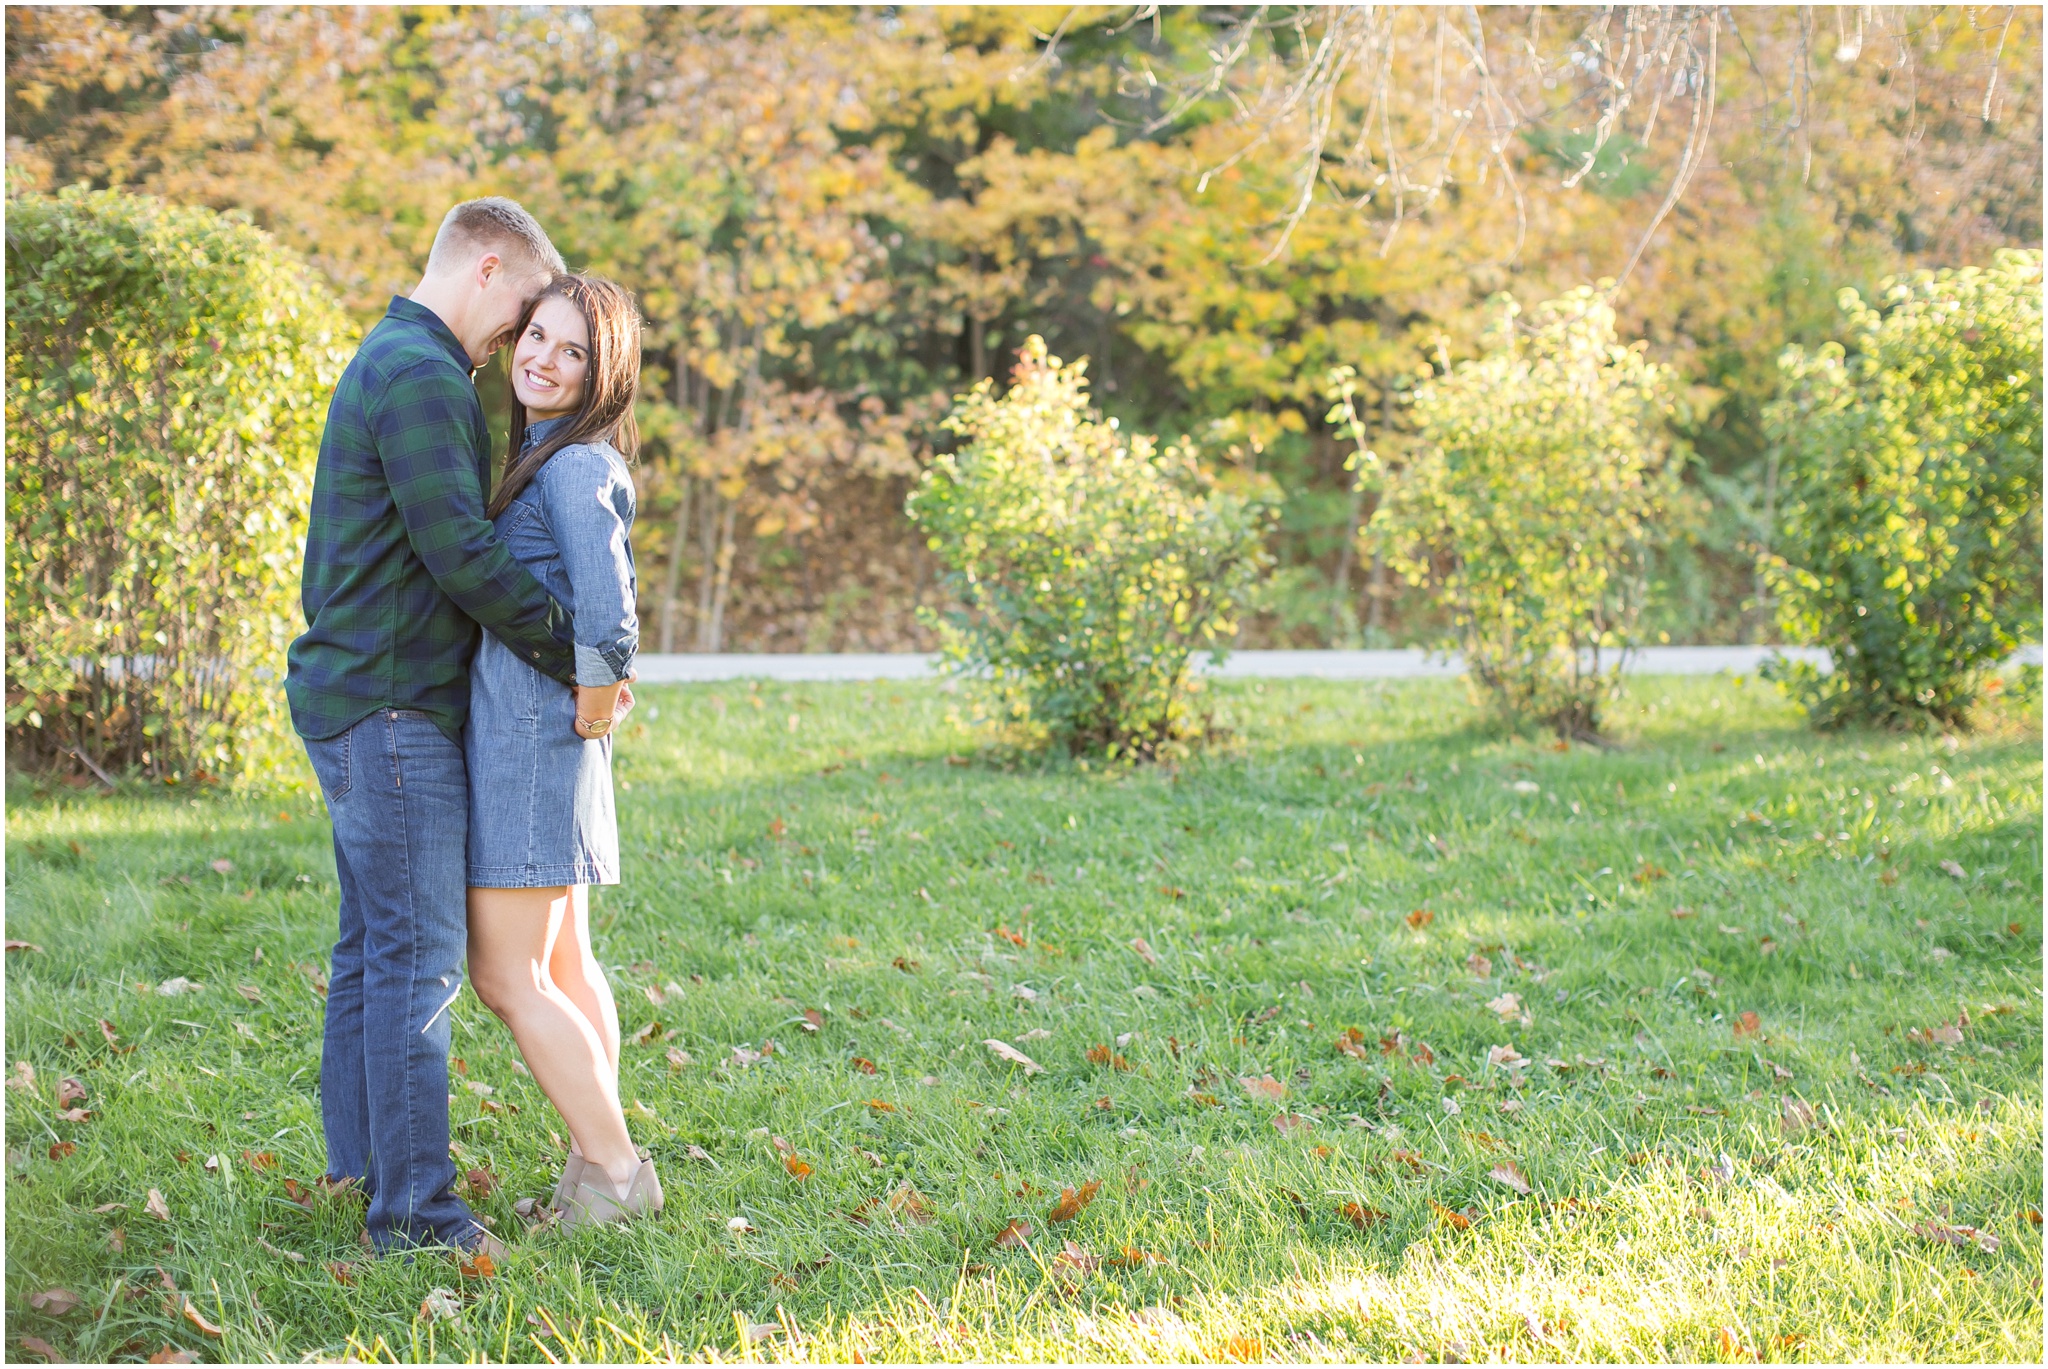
(167, 378)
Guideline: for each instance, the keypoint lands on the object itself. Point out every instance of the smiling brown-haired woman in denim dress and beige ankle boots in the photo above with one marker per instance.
(542, 821)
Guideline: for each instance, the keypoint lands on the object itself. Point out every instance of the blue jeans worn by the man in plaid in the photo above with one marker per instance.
(400, 800)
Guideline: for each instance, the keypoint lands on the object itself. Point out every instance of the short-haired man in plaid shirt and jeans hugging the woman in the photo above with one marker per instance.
(400, 571)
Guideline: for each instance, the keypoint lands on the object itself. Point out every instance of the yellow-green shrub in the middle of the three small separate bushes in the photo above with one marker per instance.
(1537, 487)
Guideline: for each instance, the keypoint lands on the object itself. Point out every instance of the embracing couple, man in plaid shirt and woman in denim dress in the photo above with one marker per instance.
(468, 655)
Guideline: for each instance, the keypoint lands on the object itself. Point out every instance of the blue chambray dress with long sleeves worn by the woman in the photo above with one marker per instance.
(540, 796)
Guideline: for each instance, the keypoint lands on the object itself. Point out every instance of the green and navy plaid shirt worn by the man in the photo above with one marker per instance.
(400, 561)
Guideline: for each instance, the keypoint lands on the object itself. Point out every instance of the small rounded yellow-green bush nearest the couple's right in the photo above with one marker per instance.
(1089, 567)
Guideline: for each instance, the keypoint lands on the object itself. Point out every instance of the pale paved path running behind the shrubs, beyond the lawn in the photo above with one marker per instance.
(1240, 665)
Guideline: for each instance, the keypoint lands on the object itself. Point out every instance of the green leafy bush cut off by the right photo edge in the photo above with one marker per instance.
(1912, 530)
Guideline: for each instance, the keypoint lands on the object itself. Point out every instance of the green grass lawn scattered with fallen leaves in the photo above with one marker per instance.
(835, 849)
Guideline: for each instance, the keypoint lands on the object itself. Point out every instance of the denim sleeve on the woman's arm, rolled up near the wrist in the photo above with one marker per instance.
(591, 513)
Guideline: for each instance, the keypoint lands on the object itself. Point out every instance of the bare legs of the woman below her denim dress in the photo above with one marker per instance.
(511, 942)
